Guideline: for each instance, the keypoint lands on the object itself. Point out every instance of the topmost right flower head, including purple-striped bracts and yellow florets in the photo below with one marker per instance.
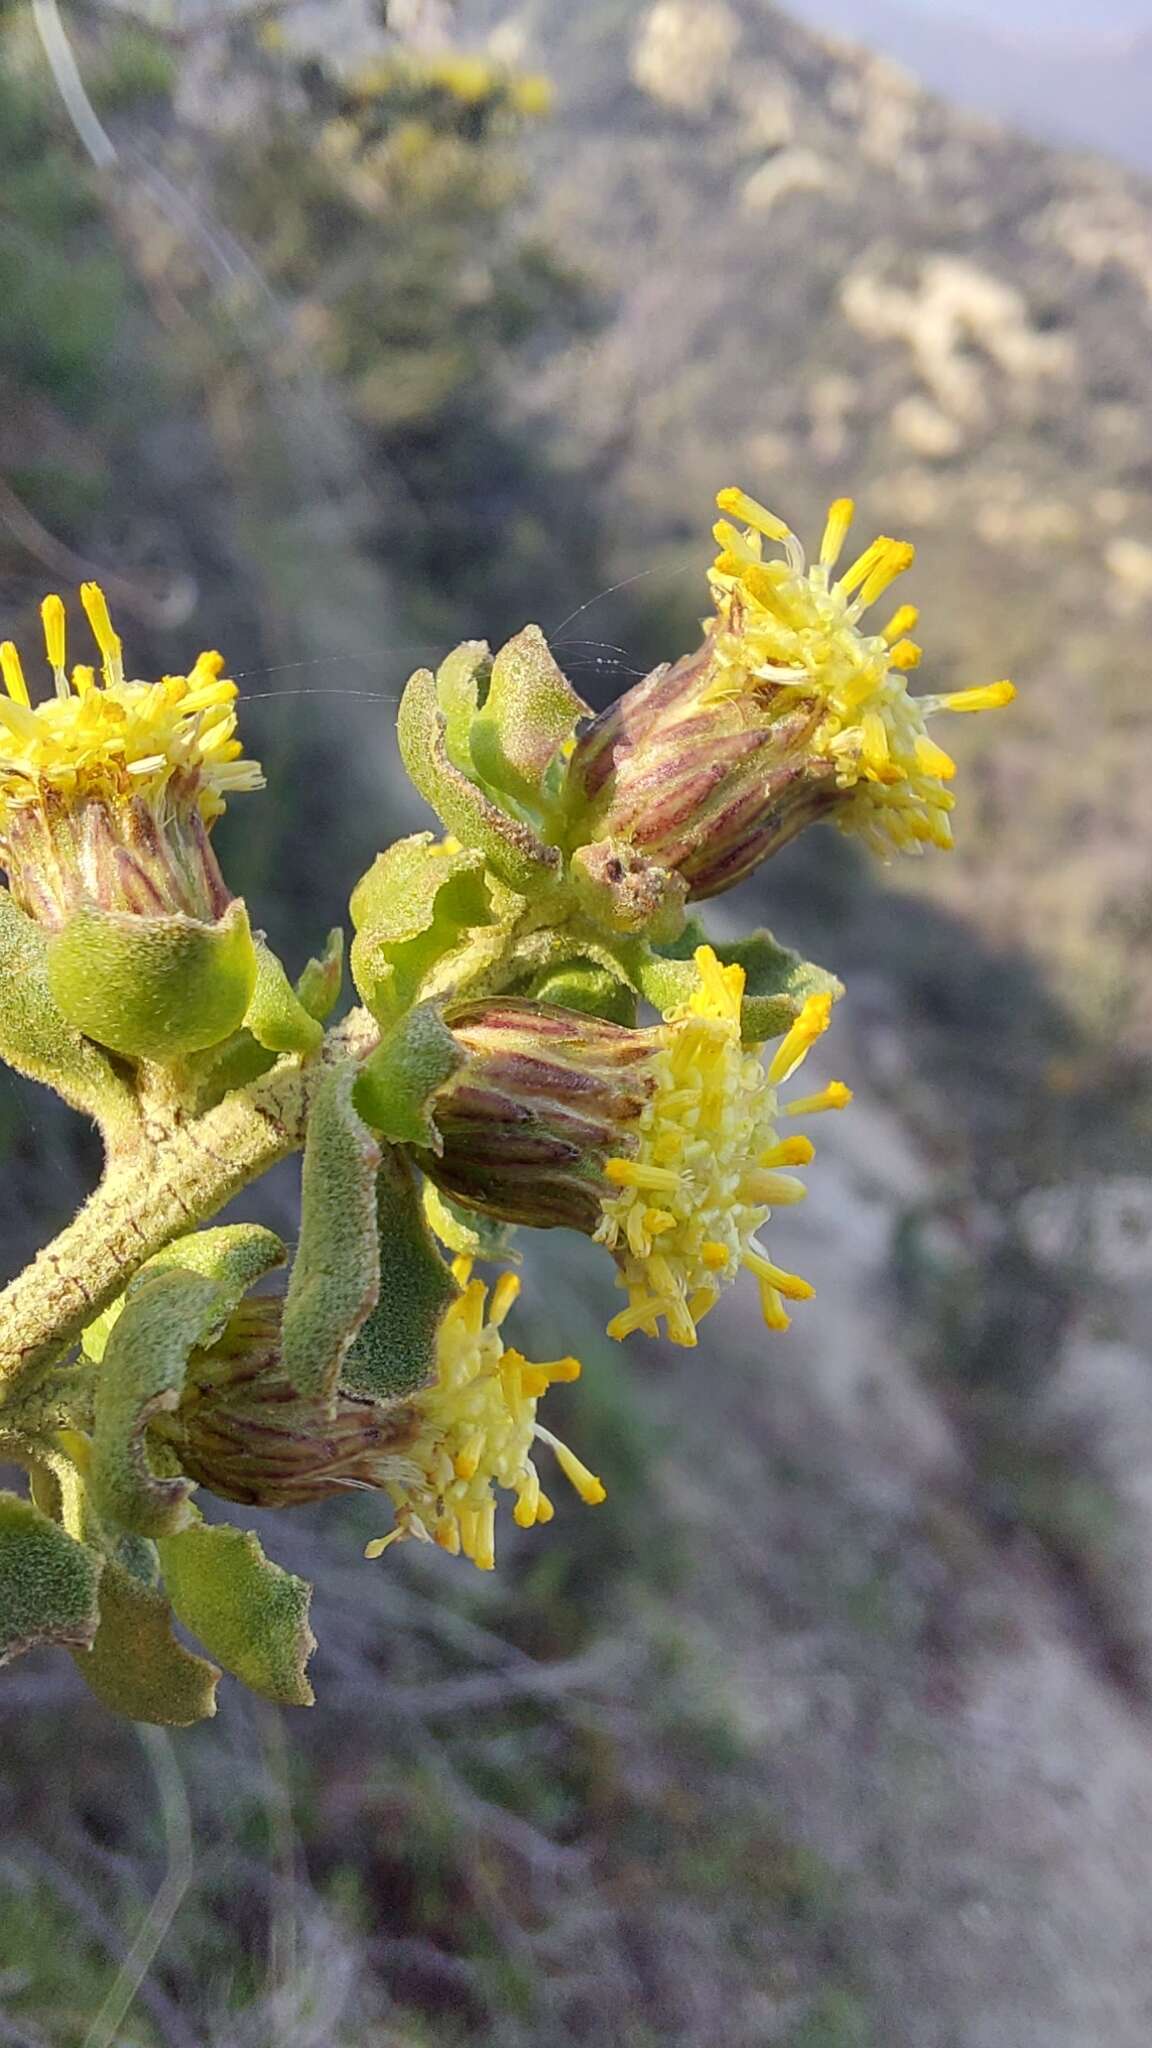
(788, 714)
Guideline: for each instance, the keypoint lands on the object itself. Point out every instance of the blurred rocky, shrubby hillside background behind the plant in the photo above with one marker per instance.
(333, 333)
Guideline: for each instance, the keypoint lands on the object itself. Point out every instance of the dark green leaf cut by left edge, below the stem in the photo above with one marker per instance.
(48, 1582)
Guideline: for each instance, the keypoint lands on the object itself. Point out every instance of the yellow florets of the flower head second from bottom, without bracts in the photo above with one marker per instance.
(688, 1205)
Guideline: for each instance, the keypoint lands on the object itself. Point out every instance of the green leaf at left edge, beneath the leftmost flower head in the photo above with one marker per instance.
(36, 1037)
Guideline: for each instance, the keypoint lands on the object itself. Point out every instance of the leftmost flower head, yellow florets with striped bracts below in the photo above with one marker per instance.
(110, 787)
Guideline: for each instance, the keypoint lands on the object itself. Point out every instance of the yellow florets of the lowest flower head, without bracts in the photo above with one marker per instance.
(477, 1435)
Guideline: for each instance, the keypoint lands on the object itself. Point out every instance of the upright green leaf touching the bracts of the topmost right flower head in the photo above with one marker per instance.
(530, 712)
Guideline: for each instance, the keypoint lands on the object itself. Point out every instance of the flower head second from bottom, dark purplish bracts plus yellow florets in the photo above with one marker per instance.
(659, 1144)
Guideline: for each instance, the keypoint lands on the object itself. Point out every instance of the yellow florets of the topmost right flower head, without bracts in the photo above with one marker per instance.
(788, 626)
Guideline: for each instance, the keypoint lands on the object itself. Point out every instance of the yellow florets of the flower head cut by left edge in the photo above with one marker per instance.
(114, 740)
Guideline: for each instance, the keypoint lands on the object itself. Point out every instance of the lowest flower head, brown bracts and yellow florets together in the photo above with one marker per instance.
(440, 1455)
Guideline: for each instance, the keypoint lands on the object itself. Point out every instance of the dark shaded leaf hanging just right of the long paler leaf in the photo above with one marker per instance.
(397, 1349)
